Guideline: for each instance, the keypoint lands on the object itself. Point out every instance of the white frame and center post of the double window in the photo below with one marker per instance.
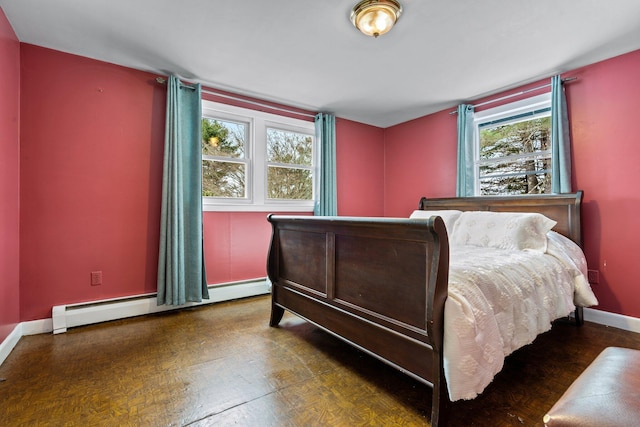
(256, 159)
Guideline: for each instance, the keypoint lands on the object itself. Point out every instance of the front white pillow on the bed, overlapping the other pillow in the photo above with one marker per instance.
(506, 230)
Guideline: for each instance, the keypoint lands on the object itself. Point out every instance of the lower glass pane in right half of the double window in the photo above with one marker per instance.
(289, 183)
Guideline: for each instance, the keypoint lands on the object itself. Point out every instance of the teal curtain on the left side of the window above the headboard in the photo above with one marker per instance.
(466, 169)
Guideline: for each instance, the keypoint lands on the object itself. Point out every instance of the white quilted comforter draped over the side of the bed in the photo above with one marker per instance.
(500, 300)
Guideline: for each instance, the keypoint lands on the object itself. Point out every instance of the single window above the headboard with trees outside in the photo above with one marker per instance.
(513, 148)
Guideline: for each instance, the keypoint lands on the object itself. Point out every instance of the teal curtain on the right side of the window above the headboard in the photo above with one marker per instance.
(560, 139)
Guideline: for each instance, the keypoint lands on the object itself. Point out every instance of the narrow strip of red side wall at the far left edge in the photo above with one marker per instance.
(9, 178)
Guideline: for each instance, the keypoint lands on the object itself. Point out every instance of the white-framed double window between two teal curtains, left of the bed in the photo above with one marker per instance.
(256, 161)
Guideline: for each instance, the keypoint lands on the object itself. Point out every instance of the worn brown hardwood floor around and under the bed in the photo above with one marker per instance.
(223, 365)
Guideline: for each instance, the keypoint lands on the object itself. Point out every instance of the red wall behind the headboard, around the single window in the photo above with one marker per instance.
(421, 160)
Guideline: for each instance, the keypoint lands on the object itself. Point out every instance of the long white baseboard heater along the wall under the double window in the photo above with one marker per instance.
(72, 315)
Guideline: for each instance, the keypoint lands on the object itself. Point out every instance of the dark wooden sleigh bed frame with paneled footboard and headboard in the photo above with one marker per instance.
(381, 284)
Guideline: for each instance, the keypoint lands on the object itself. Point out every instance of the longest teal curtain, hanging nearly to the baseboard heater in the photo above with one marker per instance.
(181, 271)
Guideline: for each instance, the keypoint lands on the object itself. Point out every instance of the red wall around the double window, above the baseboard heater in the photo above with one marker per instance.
(92, 138)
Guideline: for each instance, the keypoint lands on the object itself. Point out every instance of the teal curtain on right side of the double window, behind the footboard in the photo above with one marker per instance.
(326, 203)
